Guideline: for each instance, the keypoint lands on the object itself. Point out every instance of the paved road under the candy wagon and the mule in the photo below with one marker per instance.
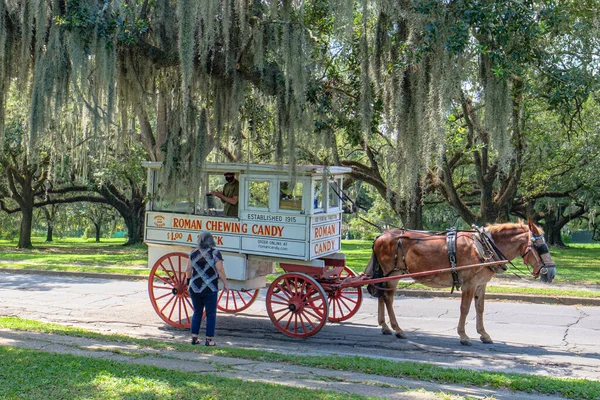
(553, 340)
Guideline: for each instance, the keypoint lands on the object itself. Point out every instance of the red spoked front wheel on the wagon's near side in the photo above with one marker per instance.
(297, 305)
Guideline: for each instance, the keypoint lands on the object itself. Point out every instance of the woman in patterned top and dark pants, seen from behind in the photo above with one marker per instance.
(205, 267)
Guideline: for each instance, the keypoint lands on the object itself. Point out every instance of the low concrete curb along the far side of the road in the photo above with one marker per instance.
(526, 298)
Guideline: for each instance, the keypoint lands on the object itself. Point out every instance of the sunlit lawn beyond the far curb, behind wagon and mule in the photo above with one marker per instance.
(578, 264)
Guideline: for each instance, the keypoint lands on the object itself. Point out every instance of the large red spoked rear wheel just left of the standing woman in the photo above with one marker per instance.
(168, 290)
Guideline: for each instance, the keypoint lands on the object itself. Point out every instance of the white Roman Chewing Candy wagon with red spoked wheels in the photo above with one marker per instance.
(295, 223)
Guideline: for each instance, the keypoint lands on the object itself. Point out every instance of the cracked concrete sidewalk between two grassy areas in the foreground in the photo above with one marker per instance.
(256, 371)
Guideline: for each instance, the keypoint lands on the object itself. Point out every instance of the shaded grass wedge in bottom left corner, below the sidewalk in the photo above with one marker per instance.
(40, 375)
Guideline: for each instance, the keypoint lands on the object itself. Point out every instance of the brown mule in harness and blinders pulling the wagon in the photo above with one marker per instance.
(400, 251)
